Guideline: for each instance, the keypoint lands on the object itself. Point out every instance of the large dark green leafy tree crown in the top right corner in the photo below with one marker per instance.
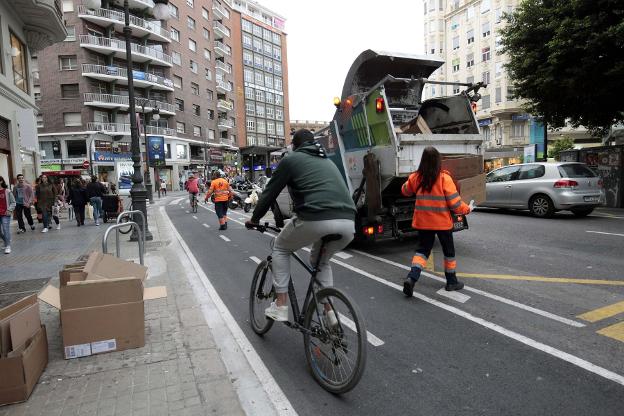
(566, 60)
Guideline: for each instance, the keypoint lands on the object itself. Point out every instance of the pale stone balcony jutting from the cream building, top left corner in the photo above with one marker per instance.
(42, 22)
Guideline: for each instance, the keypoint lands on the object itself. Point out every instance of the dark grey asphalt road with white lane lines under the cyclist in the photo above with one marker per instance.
(507, 346)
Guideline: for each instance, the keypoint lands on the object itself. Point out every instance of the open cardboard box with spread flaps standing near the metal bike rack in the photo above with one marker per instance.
(101, 305)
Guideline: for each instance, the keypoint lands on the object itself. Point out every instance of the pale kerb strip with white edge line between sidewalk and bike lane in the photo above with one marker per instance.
(226, 328)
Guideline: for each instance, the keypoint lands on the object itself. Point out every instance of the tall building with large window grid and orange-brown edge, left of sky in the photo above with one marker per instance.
(261, 80)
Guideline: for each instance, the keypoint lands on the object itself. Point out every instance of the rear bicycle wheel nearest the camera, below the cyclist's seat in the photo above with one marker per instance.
(335, 348)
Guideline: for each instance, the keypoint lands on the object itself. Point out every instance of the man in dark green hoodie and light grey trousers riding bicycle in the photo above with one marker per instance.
(322, 206)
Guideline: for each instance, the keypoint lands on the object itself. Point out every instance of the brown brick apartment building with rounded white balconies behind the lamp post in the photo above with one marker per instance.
(182, 75)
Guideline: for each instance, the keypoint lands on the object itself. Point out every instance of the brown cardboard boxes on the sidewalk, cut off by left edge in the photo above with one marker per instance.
(24, 350)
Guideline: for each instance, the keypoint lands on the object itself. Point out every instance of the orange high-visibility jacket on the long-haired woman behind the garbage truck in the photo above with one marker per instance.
(432, 210)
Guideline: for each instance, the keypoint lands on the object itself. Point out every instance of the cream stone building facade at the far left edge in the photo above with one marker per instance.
(25, 28)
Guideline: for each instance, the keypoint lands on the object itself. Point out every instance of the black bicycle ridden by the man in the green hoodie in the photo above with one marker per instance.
(328, 345)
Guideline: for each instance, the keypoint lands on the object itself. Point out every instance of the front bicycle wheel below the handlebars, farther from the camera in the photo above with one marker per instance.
(261, 296)
